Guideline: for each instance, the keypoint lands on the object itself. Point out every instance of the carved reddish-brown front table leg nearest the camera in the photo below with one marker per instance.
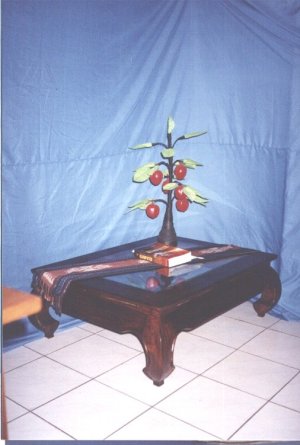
(158, 340)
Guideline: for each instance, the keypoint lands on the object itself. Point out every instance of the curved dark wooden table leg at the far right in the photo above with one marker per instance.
(270, 295)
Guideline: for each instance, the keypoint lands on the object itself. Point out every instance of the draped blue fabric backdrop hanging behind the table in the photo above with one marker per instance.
(85, 79)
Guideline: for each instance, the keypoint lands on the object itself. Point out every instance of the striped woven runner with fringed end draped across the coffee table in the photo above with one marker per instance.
(52, 283)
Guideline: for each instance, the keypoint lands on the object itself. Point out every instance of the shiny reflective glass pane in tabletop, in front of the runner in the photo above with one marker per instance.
(165, 278)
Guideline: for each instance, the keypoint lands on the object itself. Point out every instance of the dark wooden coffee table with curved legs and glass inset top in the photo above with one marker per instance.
(156, 307)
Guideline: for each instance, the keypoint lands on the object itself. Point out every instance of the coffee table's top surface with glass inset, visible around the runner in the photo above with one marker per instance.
(160, 282)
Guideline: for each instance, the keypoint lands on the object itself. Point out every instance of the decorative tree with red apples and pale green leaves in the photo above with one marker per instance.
(170, 178)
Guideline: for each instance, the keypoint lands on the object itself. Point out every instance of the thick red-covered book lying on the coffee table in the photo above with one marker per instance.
(164, 255)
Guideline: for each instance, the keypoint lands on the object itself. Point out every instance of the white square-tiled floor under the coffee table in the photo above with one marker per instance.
(236, 378)
